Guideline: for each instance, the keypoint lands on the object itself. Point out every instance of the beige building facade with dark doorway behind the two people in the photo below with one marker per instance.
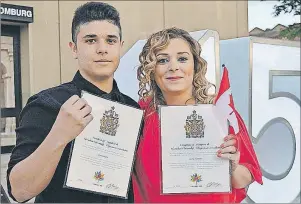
(40, 57)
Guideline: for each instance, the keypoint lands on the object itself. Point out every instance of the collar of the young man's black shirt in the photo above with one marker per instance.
(83, 84)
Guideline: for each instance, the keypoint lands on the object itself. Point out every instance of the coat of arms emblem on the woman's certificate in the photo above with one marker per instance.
(194, 126)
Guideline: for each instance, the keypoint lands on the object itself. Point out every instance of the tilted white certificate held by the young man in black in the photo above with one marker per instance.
(101, 159)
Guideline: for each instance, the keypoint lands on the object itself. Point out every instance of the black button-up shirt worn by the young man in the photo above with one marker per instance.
(35, 122)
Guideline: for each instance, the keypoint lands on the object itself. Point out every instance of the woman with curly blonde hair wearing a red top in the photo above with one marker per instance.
(173, 73)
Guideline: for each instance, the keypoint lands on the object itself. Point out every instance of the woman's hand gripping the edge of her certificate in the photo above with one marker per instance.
(228, 150)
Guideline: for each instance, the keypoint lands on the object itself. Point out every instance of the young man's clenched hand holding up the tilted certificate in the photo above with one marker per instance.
(74, 116)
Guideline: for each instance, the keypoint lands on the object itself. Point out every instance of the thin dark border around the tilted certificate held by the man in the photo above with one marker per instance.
(140, 131)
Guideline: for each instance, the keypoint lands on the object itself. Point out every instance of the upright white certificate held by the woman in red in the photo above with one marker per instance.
(190, 139)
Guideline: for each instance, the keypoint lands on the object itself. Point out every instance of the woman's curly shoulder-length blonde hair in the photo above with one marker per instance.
(148, 88)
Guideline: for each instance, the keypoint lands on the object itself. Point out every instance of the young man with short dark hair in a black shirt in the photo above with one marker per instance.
(54, 117)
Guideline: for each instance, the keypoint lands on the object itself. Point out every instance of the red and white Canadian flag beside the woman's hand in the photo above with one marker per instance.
(225, 105)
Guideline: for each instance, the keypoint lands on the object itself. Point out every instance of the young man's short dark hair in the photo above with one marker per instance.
(94, 11)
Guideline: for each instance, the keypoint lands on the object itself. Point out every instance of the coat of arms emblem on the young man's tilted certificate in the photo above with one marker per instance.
(109, 122)
